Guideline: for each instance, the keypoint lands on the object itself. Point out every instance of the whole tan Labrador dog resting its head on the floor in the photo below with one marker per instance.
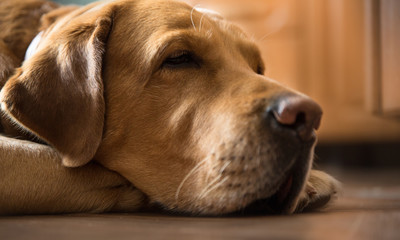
(123, 105)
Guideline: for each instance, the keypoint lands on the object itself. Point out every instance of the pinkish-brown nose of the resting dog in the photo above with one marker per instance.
(299, 113)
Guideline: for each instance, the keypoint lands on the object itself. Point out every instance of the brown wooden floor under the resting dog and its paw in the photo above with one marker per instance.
(369, 208)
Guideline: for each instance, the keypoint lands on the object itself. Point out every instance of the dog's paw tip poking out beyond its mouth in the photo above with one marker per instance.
(320, 189)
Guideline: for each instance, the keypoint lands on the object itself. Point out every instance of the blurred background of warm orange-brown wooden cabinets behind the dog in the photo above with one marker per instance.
(343, 53)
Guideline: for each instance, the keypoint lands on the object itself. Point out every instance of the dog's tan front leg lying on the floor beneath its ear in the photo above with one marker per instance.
(33, 181)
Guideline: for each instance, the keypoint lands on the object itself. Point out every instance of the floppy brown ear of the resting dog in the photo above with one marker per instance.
(57, 94)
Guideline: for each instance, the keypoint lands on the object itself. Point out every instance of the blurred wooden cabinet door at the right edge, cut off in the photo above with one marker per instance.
(383, 56)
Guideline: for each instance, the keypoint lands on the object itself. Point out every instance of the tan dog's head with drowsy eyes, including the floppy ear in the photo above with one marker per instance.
(172, 98)
